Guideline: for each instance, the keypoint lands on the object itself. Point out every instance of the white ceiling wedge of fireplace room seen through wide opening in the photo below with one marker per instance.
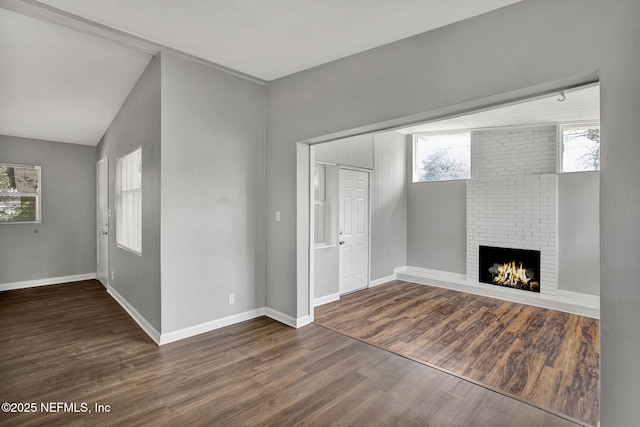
(580, 104)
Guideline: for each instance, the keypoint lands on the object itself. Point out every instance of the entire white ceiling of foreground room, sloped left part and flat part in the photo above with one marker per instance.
(67, 65)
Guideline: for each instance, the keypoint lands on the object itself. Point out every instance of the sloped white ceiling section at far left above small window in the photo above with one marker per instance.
(58, 84)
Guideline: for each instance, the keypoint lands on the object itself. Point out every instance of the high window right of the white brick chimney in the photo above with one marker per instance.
(580, 150)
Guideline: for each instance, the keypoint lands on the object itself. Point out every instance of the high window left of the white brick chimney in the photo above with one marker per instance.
(442, 156)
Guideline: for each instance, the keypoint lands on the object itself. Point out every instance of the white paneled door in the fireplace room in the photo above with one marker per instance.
(354, 230)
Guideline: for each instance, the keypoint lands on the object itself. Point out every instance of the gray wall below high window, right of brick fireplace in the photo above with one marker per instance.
(579, 232)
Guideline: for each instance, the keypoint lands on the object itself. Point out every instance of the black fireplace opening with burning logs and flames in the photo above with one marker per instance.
(513, 268)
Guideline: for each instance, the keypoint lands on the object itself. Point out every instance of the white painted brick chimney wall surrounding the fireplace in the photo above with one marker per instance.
(515, 207)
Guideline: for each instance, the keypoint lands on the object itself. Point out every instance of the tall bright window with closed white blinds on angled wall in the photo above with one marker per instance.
(129, 201)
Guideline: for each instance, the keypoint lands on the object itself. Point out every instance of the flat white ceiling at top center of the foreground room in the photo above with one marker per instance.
(274, 38)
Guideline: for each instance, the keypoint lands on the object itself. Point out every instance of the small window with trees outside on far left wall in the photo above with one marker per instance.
(19, 193)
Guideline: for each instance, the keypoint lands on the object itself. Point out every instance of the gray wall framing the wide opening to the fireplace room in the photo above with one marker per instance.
(533, 45)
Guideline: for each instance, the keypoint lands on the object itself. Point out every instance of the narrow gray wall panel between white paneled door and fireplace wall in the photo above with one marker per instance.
(388, 205)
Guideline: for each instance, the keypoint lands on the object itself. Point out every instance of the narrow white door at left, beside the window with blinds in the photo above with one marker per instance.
(102, 221)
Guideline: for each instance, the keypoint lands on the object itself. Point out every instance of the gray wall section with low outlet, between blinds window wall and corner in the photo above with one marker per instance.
(212, 194)
